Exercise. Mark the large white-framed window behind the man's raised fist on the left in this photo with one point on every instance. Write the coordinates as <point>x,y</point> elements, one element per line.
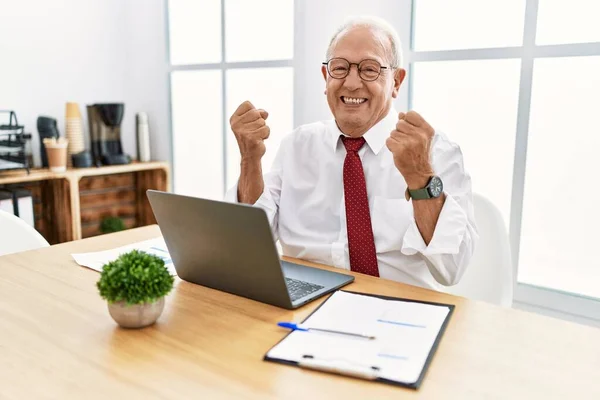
<point>223,52</point>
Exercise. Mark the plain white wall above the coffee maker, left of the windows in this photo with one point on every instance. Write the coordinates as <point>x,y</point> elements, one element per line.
<point>55,51</point>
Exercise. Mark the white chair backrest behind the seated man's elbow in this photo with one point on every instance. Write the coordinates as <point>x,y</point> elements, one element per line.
<point>489,276</point>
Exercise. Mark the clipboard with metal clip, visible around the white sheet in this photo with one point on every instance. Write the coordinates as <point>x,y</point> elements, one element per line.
<point>365,371</point>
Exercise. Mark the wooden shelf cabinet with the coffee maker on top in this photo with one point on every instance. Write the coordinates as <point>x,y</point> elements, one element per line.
<point>71,205</point>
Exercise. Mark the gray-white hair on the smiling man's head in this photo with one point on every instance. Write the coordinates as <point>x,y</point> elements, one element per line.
<point>377,25</point>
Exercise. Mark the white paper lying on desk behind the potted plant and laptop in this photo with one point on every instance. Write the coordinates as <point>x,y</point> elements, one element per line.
<point>97,259</point>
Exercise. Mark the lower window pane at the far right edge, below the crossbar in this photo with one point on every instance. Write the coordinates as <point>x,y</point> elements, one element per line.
<point>560,214</point>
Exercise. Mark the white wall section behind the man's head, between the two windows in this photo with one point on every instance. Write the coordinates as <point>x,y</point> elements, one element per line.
<point>316,22</point>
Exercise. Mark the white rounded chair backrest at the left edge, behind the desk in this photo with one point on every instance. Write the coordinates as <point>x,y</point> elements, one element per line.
<point>17,235</point>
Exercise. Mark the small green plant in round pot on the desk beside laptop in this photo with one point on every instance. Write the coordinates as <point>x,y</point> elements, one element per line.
<point>134,286</point>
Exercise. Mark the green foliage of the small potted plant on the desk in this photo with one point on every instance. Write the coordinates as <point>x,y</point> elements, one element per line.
<point>135,277</point>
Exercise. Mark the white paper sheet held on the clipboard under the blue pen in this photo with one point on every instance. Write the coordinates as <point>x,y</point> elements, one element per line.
<point>404,335</point>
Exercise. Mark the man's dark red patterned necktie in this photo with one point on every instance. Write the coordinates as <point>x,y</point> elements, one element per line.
<point>361,243</point>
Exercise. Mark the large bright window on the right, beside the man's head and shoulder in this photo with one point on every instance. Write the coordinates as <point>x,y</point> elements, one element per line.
<point>516,84</point>
